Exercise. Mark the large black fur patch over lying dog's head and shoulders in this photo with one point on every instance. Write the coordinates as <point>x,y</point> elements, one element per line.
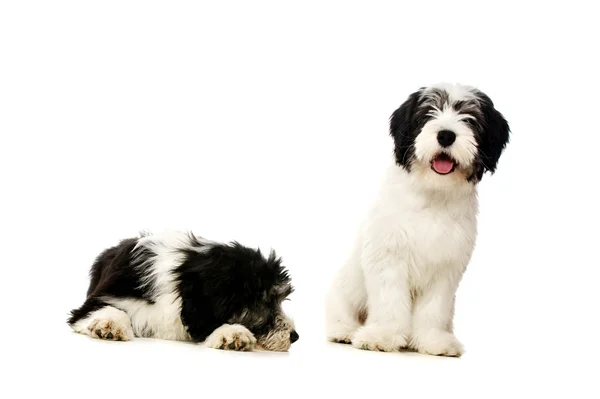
<point>219,285</point>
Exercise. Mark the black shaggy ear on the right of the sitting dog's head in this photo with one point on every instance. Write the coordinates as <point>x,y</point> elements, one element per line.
<point>494,135</point>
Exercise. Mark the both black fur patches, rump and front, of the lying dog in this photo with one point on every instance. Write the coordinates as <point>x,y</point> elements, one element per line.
<point>217,283</point>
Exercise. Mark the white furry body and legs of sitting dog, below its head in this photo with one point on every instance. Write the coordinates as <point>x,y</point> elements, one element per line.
<point>404,270</point>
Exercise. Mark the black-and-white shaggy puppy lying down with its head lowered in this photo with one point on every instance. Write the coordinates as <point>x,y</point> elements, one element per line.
<point>178,286</point>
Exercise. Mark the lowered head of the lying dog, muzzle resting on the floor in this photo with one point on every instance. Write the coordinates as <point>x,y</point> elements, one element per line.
<point>267,286</point>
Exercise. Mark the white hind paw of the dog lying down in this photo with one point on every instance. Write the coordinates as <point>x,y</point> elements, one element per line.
<point>107,323</point>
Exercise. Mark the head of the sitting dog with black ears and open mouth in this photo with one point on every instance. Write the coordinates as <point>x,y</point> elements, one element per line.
<point>448,135</point>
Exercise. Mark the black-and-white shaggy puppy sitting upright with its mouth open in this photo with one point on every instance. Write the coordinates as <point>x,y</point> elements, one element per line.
<point>397,289</point>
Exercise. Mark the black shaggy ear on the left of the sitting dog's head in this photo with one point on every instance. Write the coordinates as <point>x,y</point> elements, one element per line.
<point>402,126</point>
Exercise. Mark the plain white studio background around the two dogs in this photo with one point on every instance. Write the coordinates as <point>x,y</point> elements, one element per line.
<point>267,123</point>
